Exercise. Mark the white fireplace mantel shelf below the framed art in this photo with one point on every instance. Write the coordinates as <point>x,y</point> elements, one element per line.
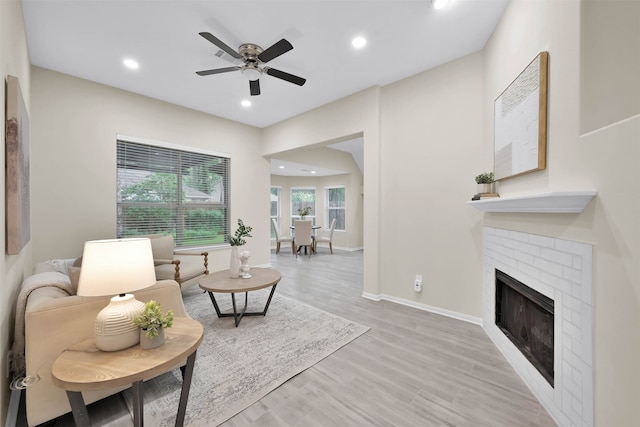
<point>551,202</point>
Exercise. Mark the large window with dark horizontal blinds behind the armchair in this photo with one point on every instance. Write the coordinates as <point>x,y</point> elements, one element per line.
<point>166,190</point>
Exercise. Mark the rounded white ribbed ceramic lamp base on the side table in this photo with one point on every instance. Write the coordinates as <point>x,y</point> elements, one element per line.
<point>114,326</point>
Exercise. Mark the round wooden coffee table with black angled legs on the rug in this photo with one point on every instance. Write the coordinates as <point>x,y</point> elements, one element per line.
<point>221,281</point>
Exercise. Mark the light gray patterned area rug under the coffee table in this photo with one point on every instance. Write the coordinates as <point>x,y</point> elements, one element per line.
<point>235,367</point>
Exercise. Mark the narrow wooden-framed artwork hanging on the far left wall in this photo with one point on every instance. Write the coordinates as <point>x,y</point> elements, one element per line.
<point>18,216</point>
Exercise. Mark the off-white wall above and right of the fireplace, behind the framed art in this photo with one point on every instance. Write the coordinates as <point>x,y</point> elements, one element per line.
<point>604,159</point>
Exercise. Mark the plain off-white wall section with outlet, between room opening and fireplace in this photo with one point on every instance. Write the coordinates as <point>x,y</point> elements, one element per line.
<point>432,149</point>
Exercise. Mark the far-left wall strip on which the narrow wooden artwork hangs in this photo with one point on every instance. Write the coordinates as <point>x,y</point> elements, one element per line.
<point>14,60</point>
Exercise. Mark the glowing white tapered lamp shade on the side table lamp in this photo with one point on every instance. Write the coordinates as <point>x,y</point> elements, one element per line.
<point>117,266</point>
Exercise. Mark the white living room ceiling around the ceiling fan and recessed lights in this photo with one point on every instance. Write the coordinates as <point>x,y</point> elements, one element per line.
<point>90,39</point>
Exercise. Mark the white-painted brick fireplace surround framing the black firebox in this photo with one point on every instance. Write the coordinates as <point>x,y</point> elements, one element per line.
<point>561,270</point>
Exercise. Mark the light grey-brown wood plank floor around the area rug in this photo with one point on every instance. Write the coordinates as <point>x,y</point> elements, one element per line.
<point>412,368</point>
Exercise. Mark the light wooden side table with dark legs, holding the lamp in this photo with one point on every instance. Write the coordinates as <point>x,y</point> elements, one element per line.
<point>85,368</point>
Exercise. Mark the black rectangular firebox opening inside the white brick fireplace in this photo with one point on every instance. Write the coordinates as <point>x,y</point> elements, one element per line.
<point>526,318</point>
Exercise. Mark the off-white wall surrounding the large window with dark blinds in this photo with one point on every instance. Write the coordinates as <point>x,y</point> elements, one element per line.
<point>74,162</point>
